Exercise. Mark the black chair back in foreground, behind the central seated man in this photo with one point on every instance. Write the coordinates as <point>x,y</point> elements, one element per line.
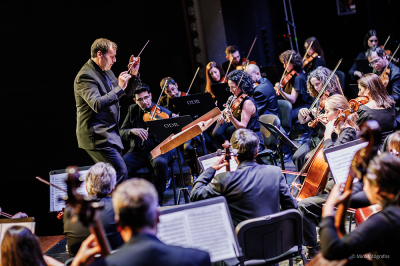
<point>272,238</point>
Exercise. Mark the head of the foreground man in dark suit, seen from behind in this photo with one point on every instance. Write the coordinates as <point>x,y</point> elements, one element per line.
<point>135,204</point>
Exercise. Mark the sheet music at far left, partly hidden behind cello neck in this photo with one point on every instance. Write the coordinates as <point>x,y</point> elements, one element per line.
<point>55,194</point>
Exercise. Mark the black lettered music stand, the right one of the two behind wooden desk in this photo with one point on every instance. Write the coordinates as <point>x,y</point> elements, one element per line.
<point>195,105</point>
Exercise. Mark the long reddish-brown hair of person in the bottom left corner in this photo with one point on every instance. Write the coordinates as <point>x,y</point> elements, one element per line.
<point>20,247</point>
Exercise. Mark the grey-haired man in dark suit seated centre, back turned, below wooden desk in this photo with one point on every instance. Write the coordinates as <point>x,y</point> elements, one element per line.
<point>247,190</point>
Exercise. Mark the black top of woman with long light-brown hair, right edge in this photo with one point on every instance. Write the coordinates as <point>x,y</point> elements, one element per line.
<point>385,118</point>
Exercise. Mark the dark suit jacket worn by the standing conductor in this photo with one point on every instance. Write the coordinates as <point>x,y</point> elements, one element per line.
<point>97,108</point>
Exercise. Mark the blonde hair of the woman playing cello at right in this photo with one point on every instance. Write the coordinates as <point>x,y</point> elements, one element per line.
<point>339,102</point>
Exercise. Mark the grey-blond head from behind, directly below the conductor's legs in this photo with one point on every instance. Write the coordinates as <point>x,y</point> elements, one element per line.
<point>101,179</point>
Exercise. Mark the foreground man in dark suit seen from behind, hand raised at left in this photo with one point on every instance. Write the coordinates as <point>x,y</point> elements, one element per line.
<point>135,205</point>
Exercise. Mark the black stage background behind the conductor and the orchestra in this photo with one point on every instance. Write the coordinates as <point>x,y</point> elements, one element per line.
<point>45,43</point>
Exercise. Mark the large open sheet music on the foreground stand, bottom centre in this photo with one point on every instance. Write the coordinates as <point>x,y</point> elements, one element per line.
<point>206,228</point>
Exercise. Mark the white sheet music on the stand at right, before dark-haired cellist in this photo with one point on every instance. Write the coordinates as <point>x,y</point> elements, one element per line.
<point>339,162</point>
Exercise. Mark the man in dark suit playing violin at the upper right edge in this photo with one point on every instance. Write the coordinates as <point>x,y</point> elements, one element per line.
<point>377,58</point>
